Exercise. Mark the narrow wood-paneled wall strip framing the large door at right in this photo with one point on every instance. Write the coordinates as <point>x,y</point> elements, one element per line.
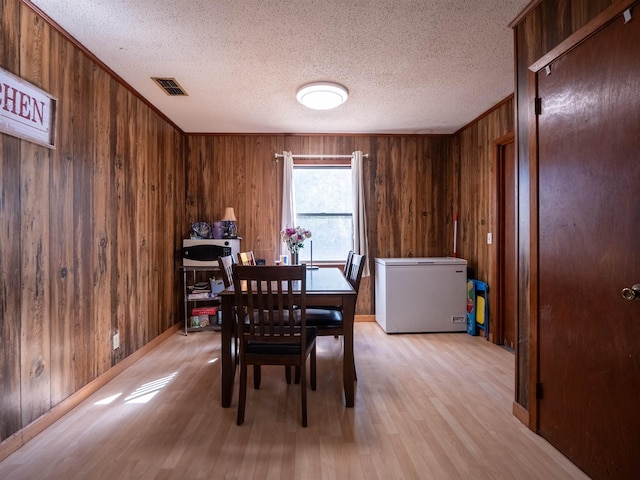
<point>539,29</point>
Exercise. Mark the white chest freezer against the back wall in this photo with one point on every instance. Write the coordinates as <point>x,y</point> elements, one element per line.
<point>420,295</point>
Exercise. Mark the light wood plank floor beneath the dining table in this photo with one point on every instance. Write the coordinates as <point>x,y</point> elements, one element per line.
<point>432,406</point>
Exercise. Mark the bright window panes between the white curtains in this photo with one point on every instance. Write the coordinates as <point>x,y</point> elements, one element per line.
<point>323,203</point>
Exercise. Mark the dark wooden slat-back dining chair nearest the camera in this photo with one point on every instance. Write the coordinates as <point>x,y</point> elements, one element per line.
<point>273,331</point>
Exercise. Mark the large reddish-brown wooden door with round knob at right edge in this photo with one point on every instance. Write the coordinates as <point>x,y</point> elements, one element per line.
<point>589,229</point>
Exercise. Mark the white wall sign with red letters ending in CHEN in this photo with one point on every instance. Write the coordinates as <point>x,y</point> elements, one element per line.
<point>26,111</point>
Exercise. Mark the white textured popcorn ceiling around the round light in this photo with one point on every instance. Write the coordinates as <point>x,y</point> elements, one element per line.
<point>421,66</point>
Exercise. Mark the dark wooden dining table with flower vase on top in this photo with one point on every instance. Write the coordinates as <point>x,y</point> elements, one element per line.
<point>325,286</point>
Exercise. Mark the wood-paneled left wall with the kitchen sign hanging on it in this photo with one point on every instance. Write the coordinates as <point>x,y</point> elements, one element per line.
<point>87,231</point>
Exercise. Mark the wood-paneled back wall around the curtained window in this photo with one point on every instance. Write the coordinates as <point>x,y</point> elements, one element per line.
<point>410,189</point>
